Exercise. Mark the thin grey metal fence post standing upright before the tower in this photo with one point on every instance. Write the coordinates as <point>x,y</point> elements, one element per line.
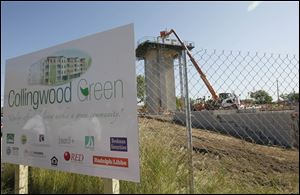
<point>188,127</point>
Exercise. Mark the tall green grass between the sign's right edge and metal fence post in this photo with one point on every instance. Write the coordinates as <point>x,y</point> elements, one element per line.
<point>163,169</point>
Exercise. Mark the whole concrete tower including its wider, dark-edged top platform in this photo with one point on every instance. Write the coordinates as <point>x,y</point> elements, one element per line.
<point>158,56</point>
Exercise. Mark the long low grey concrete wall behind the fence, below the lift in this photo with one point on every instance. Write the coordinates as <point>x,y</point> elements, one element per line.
<point>265,127</point>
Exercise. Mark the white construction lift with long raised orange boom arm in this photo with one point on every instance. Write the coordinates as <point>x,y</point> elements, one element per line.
<point>223,101</point>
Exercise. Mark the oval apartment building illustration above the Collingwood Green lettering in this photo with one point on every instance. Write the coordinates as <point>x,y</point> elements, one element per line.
<point>58,69</point>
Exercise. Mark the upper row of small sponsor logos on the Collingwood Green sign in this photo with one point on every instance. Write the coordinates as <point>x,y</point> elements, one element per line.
<point>116,143</point>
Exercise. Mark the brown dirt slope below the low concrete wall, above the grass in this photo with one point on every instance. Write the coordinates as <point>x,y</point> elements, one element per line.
<point>236,155</point>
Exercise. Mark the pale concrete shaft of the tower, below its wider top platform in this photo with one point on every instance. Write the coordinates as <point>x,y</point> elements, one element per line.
<point>160,83</point>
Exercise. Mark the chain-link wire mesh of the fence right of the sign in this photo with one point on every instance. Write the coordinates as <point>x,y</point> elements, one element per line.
<point>246,141</point>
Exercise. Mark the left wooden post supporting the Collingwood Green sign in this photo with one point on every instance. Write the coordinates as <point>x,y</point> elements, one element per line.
<point>21,179</point>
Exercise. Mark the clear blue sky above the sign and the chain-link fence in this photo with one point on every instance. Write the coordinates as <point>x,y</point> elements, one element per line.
<point>244,26</point>
